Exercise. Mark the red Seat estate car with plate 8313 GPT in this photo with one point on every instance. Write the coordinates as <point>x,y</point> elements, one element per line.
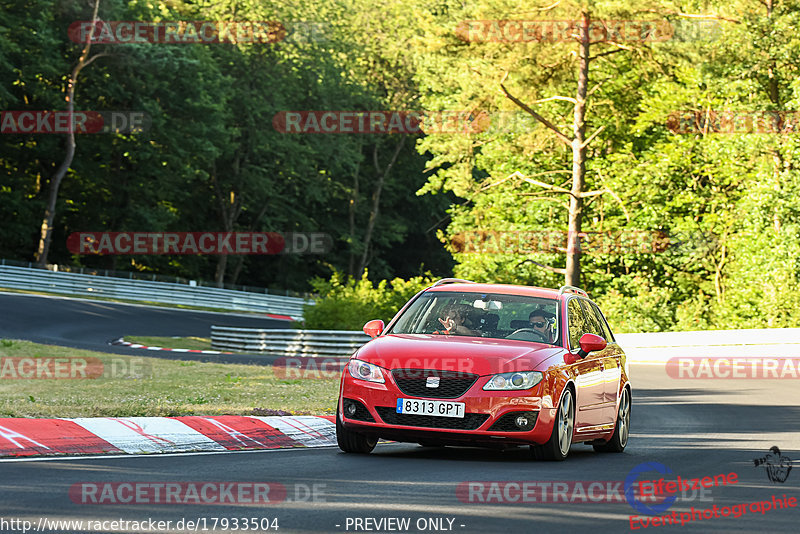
<point>488,365</point>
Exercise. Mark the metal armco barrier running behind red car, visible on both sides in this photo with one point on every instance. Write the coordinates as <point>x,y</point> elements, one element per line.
<point>640,348</point>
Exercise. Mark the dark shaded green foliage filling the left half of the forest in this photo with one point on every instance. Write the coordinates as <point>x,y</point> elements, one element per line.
<point>211,159</point>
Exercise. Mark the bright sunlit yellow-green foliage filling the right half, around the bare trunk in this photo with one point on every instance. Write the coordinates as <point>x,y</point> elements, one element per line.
<point>727,201</point>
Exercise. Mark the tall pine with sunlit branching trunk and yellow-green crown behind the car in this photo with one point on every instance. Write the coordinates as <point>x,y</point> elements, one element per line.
<point>541,70</point>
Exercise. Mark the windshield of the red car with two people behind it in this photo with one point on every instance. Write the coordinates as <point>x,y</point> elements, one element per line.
<point>493,315</point>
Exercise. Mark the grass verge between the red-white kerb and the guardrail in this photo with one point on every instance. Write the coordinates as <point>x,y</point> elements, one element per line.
<point>158,387</point>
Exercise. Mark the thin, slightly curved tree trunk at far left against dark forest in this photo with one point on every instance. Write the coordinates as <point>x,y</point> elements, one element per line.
<point>46,231</point>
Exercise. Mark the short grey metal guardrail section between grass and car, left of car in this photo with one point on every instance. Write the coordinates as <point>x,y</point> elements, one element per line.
<point>322,343</point>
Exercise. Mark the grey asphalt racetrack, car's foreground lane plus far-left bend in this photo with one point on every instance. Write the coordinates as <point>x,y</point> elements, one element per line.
<point>696,428</point>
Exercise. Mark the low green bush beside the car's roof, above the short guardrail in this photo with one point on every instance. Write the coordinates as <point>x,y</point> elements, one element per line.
<point>346,303</point>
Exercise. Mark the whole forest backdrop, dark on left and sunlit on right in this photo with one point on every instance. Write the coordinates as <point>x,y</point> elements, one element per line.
<point>642,150</point>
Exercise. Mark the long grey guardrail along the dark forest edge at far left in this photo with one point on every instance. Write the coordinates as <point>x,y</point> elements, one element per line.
<point>13,277</point>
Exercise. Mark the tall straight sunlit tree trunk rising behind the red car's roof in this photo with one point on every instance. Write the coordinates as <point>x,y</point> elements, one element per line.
<point>572,277</point>
